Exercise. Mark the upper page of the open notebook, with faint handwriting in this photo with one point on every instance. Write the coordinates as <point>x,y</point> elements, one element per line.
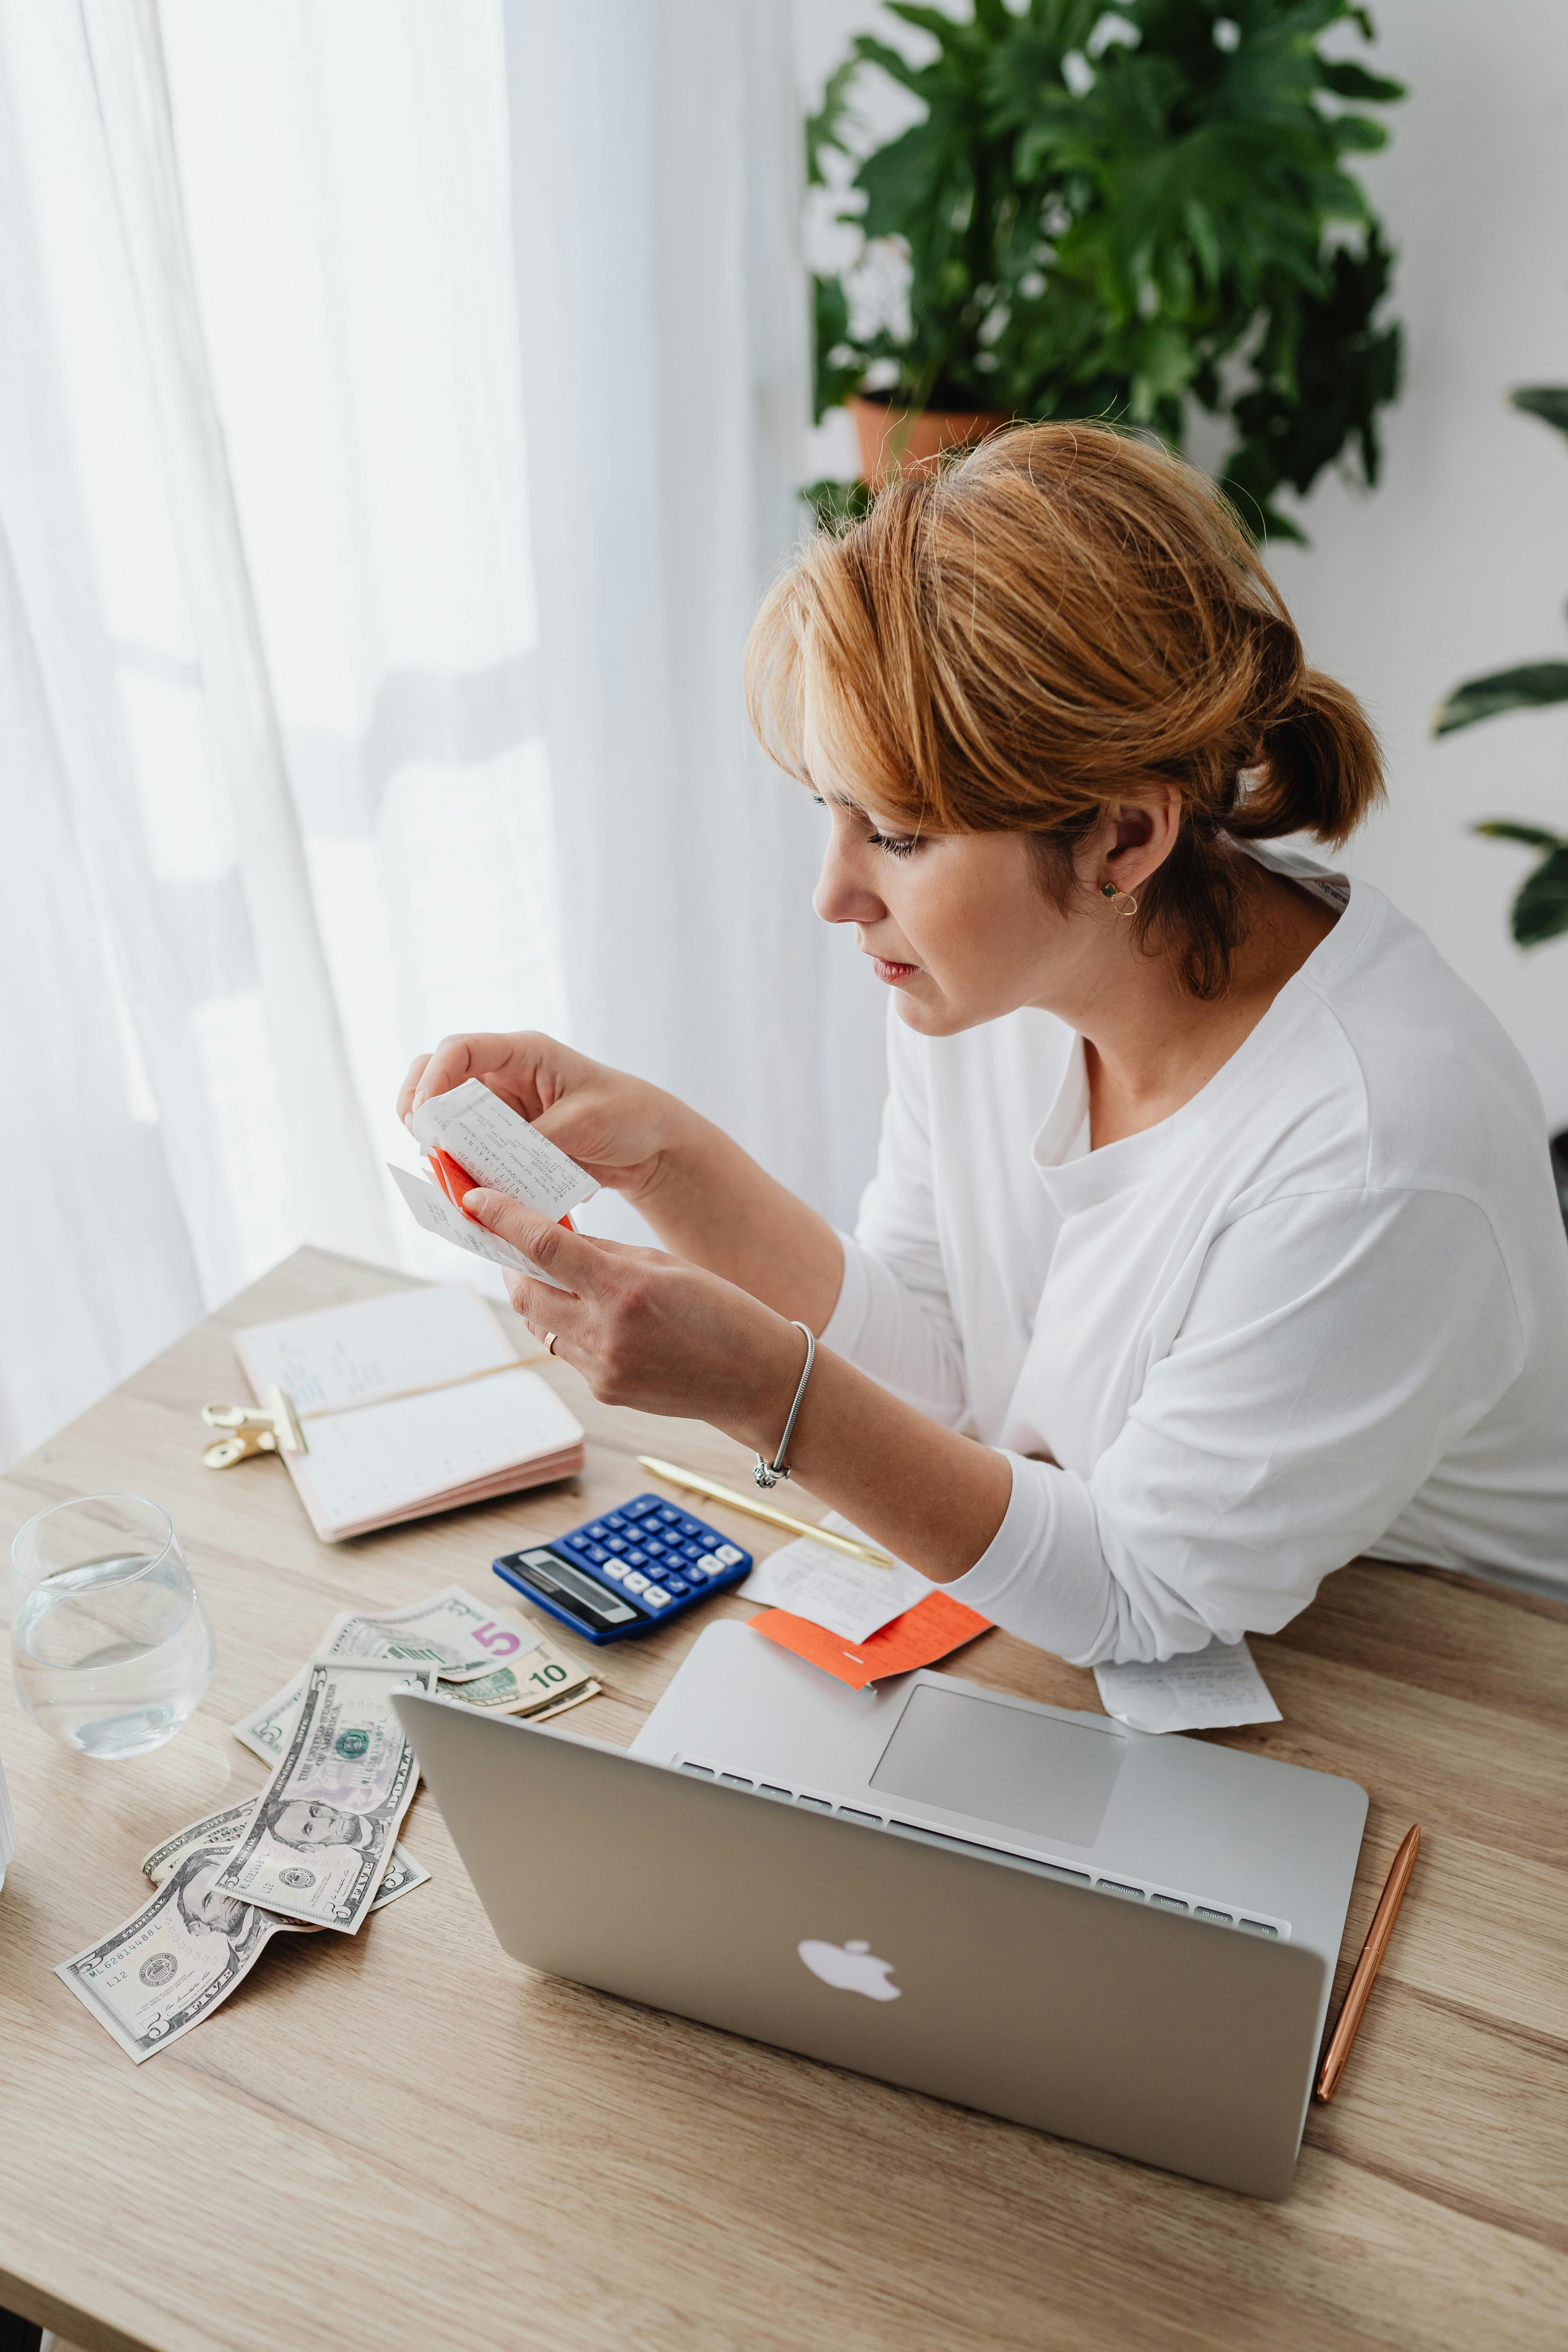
<point>377,1347</point>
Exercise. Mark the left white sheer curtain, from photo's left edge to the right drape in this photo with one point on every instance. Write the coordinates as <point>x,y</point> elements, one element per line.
<point>274,806</point>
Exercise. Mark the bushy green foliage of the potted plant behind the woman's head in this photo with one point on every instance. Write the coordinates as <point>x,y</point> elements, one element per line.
<point>1120,215</point>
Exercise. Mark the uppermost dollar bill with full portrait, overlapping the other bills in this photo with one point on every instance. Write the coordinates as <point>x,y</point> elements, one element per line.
<point>326,1826</point>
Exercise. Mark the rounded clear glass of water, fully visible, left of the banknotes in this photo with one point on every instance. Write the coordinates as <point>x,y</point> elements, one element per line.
<point>112,1648</point>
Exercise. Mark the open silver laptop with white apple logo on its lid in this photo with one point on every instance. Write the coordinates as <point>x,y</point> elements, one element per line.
<point>1111,1937</point>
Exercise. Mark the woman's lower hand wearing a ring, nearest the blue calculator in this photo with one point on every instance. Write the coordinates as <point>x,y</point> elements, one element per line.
<point>648,1330</point>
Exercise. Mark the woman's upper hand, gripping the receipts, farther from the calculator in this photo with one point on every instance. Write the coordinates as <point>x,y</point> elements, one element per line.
<point>617,1128</point>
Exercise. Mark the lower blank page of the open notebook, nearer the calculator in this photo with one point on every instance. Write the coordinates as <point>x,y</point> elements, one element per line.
<point>389,1457</point>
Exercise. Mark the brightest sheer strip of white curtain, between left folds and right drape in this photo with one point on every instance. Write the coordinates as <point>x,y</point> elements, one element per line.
<point>347,185</point>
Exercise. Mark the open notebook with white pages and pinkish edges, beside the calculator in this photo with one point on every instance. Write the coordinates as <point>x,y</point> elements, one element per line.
<point>408,1405</point>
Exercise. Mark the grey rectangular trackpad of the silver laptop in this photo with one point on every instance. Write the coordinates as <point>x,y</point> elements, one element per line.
<point>1007,1765</point>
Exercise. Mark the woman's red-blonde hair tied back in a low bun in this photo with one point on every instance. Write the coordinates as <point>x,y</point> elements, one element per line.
<point>1052,624</point>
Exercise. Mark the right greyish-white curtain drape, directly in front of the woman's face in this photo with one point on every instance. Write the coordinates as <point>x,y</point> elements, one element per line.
<point>666,387</point>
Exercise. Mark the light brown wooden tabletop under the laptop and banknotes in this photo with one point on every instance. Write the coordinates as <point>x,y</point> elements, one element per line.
<point>410,2141</point>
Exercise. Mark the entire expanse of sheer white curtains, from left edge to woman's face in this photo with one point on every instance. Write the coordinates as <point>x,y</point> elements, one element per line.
<point>316,740</point>
